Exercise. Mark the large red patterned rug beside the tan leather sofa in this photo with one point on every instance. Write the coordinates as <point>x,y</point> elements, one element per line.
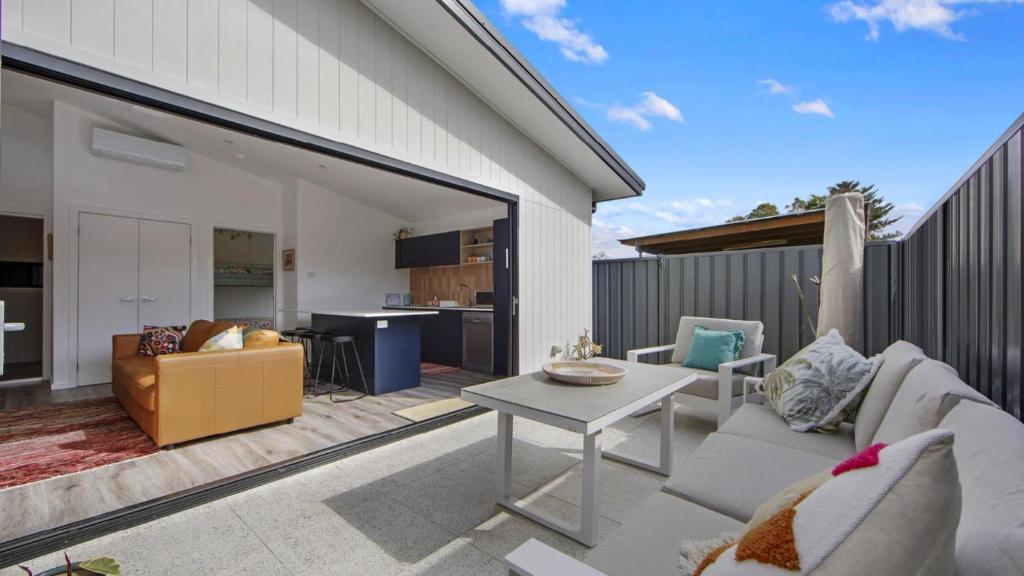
<point>54,440</point>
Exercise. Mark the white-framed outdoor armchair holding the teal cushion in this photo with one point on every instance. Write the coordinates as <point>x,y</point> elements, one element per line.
<point>724,391</point>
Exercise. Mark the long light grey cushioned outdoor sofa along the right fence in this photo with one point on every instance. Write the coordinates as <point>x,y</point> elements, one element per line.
<point>755,456</point>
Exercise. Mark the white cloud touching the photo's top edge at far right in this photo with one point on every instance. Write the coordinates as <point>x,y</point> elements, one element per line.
<point>936,17</point>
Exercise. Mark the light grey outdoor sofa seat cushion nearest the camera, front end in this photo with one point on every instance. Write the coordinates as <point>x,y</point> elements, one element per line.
<point>649,542</point>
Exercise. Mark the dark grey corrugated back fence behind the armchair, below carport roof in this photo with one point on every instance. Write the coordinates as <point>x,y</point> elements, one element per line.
<point>638,303</point>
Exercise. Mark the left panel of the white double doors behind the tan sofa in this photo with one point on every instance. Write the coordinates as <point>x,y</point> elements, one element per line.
<point>108,291</point>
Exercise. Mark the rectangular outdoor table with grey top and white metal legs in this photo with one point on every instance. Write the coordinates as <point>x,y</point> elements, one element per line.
<point>587,410</point>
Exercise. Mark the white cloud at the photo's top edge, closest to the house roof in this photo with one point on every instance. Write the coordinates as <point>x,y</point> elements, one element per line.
<point>544,19</point>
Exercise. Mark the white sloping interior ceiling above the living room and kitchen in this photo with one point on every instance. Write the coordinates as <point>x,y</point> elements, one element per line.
<point>406,198</point>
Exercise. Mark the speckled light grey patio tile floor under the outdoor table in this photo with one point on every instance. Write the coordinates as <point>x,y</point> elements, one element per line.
<point>421,507</point>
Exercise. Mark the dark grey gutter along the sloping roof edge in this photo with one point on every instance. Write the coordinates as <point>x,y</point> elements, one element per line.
<point>477,25</point>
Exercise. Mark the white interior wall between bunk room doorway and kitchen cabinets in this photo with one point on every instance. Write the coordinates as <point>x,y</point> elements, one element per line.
<point>345,253</point>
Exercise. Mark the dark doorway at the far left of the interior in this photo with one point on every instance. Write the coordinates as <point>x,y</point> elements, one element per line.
<point>22,254</point>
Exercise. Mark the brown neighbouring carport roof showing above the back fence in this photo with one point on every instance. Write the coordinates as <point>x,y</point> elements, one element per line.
<point>788,230</point>
